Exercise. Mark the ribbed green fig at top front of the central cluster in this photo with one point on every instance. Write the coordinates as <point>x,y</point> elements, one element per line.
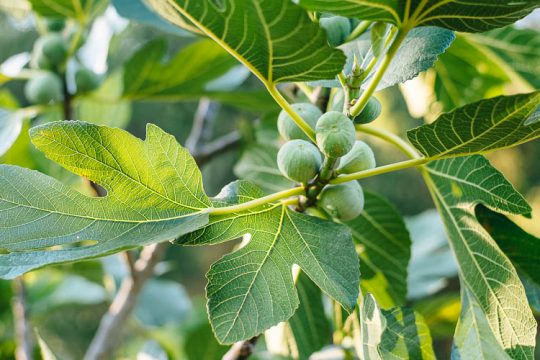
<point>335,134</point>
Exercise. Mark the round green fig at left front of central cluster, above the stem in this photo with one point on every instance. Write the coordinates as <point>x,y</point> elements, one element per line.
<point>299,160</point>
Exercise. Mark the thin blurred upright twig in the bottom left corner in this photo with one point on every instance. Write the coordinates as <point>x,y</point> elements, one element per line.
<point>23,331</point>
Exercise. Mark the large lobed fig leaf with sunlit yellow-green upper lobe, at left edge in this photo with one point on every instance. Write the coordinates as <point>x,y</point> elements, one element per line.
<point>154,194</point>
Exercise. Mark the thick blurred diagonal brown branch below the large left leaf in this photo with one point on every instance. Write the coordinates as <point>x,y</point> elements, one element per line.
<point>106,339</point>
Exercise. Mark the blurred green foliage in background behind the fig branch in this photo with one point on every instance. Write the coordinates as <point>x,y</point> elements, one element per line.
<point>66,302</point>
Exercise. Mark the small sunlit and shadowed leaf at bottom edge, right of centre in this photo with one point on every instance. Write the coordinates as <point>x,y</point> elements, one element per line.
<point>398,333</point>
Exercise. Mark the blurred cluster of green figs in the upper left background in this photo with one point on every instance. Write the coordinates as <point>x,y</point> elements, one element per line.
<point>49,59</point>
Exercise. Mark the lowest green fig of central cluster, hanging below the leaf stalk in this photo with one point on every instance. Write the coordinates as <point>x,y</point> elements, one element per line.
<point>343,201</point>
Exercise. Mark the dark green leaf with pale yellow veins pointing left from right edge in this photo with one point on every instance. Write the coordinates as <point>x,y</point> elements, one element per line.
<point>487,125</point>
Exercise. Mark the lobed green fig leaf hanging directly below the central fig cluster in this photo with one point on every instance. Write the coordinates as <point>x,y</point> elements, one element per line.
<point>252,289</point>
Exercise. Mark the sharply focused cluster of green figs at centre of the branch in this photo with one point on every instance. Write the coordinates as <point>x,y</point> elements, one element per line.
<point>301,160</point>
